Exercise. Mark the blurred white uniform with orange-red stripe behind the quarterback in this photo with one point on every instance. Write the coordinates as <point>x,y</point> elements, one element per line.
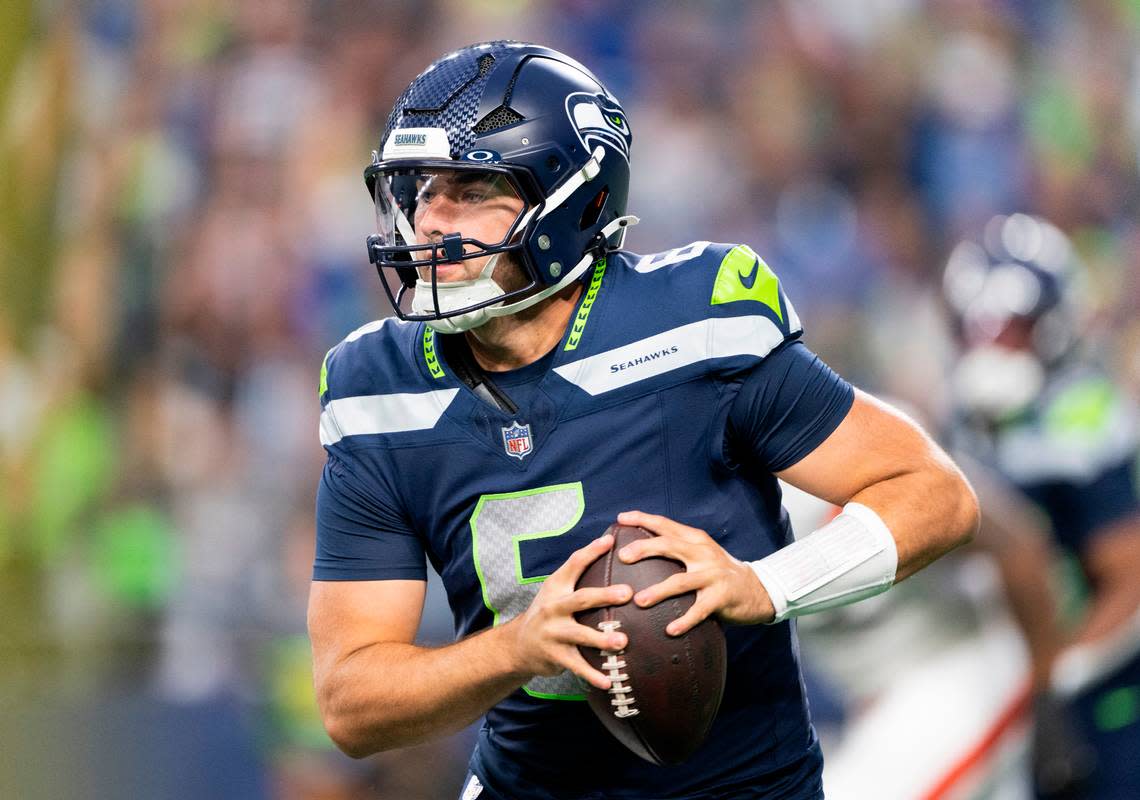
<point>935,679</point>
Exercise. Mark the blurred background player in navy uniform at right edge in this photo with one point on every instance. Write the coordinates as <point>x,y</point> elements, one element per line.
<point>1035,406</point>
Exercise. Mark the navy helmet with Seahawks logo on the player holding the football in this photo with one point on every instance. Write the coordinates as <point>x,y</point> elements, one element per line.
<point>518,126</point>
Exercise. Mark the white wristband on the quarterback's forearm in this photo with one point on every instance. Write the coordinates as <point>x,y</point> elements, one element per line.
<point>852,558</point>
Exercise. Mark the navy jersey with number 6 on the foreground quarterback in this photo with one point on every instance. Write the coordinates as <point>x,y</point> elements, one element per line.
<point>678,389</point>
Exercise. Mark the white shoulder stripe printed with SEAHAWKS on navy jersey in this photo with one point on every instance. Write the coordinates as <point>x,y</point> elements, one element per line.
<point>714,338</point>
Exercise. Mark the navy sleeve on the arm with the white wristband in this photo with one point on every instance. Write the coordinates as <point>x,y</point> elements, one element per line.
<point>787,406</point>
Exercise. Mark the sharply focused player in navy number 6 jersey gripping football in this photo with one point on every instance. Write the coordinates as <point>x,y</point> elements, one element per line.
<point>542,382</point>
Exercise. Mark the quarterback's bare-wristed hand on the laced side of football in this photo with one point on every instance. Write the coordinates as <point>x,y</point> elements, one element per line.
<point>548,636</point>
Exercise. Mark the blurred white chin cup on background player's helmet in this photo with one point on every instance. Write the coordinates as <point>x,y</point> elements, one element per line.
<point>997,381</point>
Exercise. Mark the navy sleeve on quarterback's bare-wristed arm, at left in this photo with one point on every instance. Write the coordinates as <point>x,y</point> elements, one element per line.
<point>360,537</point>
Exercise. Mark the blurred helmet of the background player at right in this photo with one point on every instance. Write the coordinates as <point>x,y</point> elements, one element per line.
<point>1016,306</point>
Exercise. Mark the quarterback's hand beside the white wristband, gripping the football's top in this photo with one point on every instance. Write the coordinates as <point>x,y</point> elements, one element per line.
<point>726,587</point>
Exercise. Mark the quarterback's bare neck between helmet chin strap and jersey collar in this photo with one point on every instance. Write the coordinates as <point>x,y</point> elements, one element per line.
<point>522,339</point>
